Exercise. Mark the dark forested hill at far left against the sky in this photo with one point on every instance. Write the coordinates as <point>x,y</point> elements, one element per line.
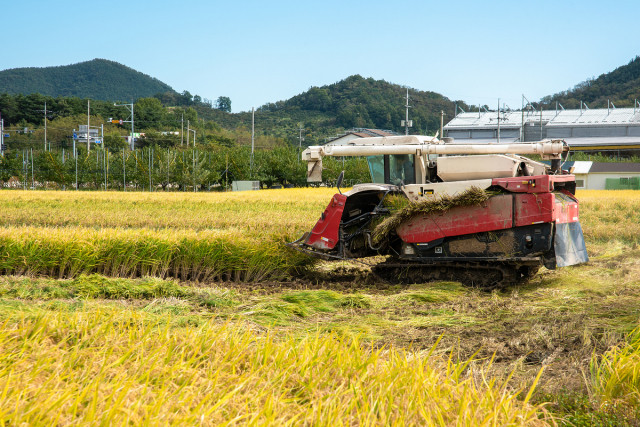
<point>97,79</point>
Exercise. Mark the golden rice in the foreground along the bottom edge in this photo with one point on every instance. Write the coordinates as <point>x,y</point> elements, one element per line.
<point>122,367</point>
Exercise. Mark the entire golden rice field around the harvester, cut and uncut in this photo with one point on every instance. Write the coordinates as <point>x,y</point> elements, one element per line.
<point>187,308</point>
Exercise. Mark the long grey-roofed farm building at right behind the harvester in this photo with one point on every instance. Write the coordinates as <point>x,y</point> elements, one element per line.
<point>606,129</point>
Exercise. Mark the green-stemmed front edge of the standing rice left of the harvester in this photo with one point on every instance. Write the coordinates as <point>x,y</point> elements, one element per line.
<point>189,255</point>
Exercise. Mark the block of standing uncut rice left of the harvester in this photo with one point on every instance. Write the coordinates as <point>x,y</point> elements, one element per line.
<point>198,237</point>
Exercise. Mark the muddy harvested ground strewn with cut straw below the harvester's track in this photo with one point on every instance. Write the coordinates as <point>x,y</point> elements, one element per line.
<point>556,321</point>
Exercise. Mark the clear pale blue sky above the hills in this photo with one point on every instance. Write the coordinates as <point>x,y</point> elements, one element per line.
<point>257,52</point>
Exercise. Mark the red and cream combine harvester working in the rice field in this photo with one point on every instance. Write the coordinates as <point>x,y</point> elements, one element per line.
<point>479,214</point>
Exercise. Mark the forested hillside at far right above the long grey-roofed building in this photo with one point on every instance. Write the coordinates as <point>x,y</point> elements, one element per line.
<point>621,86</point>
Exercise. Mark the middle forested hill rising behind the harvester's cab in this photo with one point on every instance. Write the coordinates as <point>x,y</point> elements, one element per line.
<point>355,102</point>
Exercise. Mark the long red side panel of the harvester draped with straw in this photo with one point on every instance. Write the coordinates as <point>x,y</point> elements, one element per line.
<point>495,214</point>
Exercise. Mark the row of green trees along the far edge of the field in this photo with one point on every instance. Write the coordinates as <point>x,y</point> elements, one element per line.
<point>166,169</point>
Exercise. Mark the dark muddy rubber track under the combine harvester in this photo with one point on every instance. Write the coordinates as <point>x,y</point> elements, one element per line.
<point>483,275</point>
